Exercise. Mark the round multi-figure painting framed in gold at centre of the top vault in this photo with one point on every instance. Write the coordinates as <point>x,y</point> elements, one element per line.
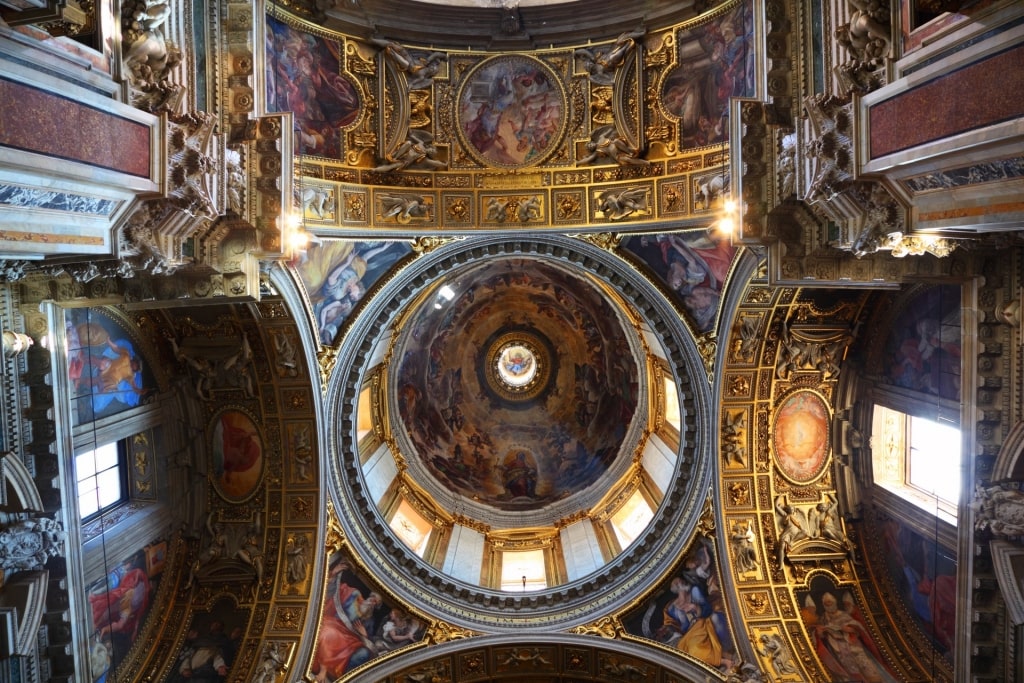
<point>511,112</point>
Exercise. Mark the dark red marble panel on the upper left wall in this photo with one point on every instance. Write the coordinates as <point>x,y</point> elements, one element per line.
<point>46,123</point>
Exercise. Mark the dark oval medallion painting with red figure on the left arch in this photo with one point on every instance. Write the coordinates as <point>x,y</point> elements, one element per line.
<point>238,455</point>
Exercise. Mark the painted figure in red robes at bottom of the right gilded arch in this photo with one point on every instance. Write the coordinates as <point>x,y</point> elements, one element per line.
<point>845,646</point>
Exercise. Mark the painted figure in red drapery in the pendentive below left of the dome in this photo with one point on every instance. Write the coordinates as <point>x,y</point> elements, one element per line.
<point>345,641</point>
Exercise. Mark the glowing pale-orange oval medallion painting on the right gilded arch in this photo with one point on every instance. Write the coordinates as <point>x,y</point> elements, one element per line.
<point>801,437</point>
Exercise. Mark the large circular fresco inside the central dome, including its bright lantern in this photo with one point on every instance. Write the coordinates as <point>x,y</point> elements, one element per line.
<point>516,385</point>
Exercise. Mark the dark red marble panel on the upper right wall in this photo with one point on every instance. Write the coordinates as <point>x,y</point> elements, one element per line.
<point>980,95</point>
